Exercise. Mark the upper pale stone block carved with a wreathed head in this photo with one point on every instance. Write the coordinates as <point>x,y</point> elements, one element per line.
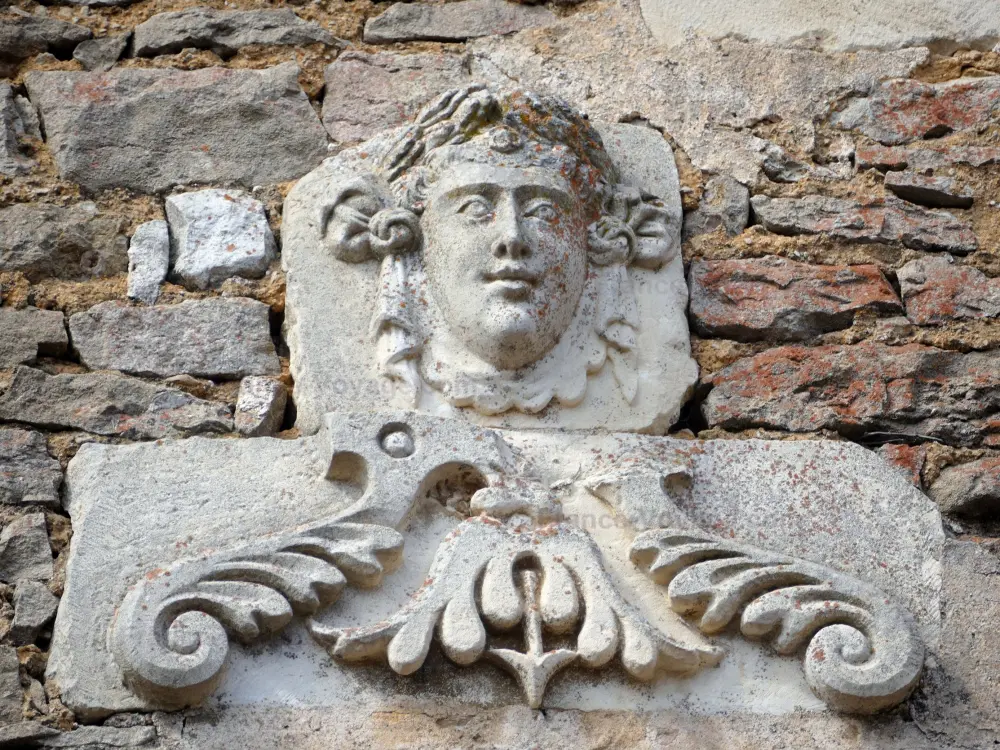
<point>494,262</point>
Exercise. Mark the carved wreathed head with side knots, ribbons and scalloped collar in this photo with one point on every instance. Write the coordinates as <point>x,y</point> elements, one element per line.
<point>504,239</point>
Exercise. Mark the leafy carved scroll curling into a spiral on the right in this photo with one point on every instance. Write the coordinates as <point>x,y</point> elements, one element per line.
<point>863,653</point>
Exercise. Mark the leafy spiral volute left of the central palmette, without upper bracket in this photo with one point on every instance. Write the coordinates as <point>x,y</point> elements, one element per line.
<point>170,634</point>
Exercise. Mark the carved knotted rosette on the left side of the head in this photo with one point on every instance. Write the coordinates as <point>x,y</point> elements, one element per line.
<point>359,222</point>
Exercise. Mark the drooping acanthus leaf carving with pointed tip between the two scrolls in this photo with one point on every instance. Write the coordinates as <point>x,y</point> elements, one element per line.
<point>489,573</point>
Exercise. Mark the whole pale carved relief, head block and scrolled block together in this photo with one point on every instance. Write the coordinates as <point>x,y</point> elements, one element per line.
<point>496,265</point>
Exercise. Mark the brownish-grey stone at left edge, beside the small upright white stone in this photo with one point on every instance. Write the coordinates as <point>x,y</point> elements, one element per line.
<point>73,243</point>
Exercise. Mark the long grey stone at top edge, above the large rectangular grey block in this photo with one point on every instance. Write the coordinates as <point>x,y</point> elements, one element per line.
<point>223,31</point>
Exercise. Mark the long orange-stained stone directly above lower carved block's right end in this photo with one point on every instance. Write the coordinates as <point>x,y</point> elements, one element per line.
<point>909,390</point>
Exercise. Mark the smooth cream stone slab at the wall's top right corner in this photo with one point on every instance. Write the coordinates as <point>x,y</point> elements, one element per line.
<point>890,24</point>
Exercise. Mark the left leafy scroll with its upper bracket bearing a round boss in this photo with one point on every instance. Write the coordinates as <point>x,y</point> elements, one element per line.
<point>171,633</point>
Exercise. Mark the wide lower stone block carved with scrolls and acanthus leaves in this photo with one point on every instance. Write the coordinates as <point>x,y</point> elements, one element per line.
<point>533,560</point>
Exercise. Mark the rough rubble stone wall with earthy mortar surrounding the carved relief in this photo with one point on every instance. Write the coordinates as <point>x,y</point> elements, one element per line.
<point>842,215</point>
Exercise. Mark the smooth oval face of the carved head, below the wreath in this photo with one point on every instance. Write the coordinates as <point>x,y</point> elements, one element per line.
<point>506,258</point>
